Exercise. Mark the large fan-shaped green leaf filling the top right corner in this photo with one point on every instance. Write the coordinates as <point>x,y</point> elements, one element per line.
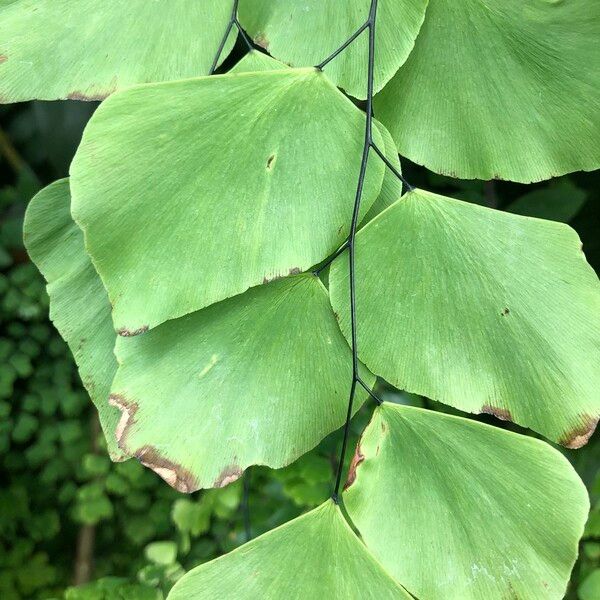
<point>490,88</point>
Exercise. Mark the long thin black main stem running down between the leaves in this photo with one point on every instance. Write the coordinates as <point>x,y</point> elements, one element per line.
<point>368,143</point>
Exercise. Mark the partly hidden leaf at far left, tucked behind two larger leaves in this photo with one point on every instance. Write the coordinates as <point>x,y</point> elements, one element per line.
<point>79,306</point>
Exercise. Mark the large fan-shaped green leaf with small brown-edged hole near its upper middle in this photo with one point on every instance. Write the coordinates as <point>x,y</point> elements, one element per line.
<point>183,207</point>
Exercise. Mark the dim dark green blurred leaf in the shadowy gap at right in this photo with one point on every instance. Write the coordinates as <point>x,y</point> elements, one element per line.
<point>560,201</point>
